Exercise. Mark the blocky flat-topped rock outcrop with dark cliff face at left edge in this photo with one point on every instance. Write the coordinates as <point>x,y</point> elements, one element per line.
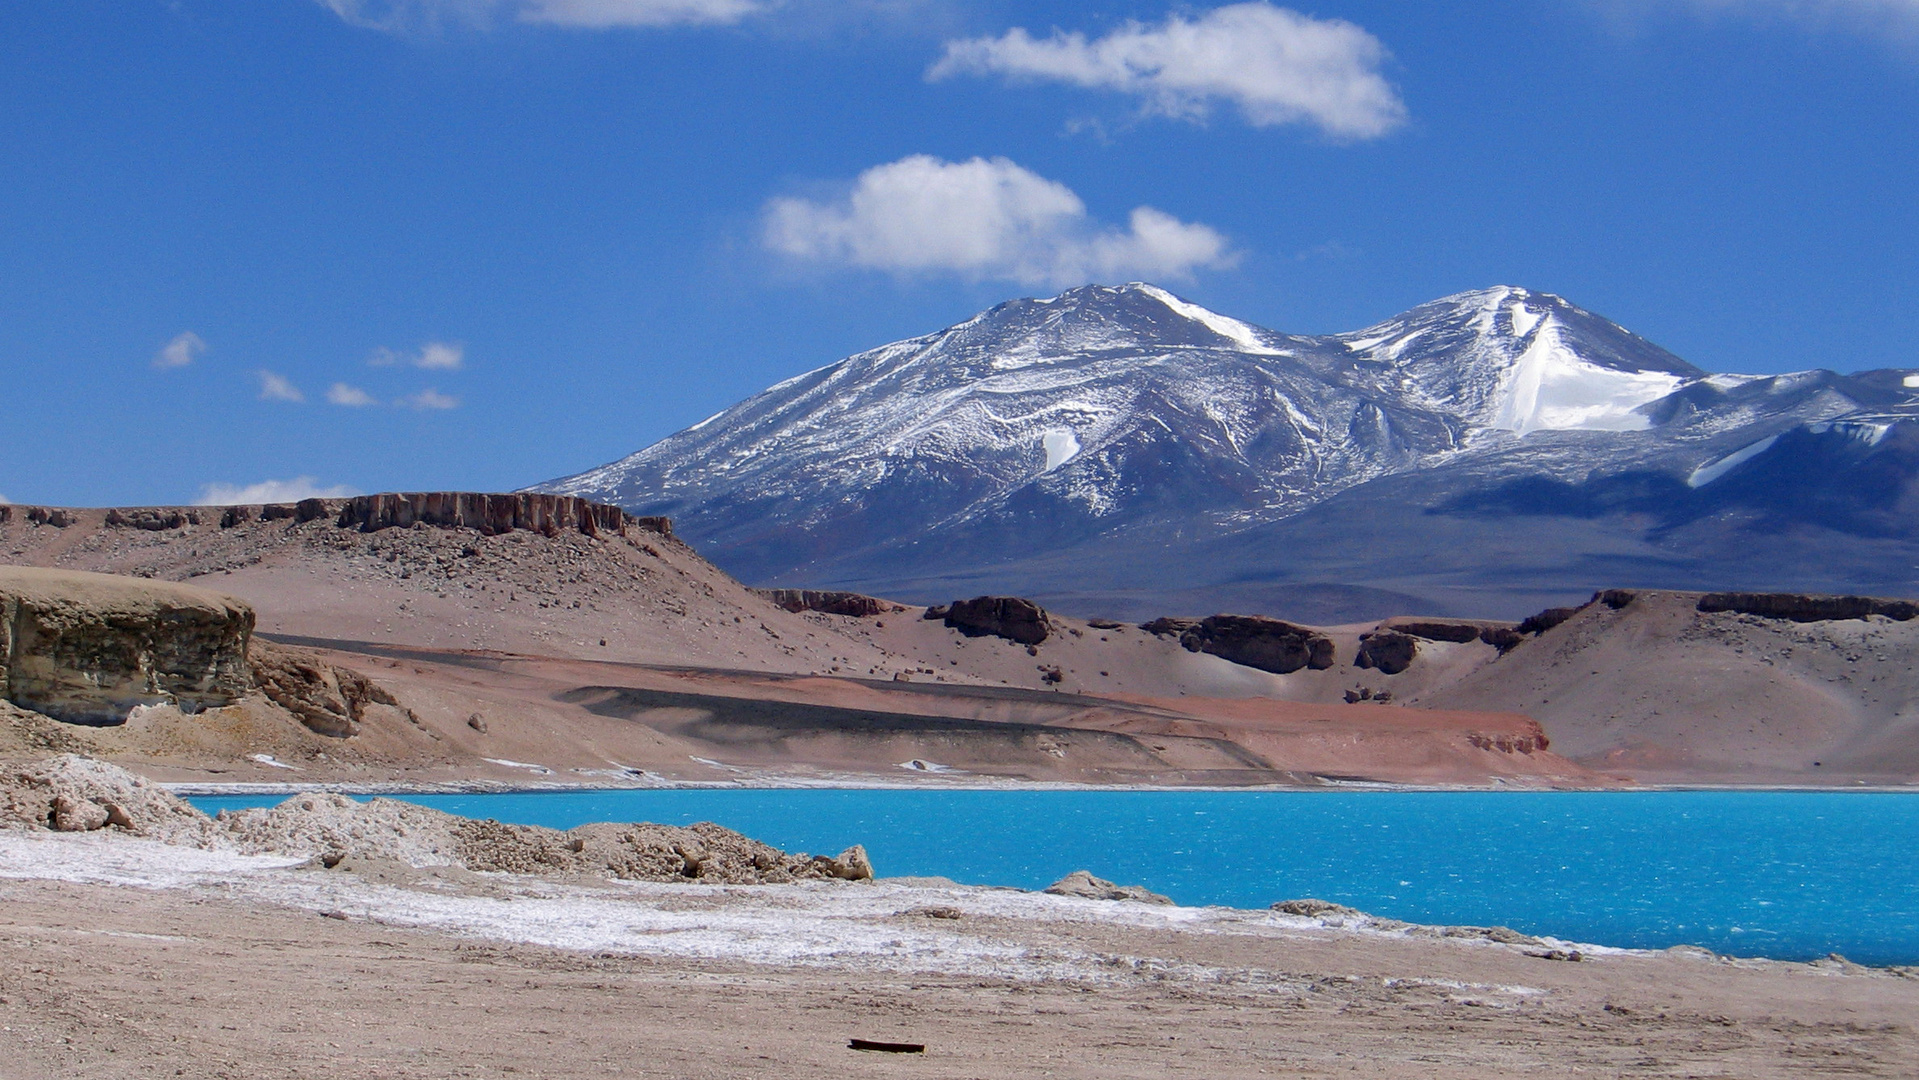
<point>91,647</point>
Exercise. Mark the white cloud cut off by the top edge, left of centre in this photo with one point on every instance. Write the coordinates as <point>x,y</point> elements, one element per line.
<point>414,16</point>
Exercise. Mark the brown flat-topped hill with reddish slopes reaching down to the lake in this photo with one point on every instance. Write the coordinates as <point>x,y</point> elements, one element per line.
<point>490,638</point>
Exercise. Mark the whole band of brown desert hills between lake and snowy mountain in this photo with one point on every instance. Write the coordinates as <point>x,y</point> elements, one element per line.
<point>619,655</point>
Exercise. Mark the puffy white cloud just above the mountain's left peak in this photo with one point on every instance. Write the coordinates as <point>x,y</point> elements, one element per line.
<point>985,220</point>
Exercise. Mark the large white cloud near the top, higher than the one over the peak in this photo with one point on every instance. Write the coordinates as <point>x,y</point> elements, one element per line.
<point>1275,64</point>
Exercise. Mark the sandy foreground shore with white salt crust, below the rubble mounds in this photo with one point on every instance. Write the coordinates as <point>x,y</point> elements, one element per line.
<point>131,958</point>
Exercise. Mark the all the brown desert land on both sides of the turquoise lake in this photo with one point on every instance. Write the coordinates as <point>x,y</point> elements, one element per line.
<point>298,649</point>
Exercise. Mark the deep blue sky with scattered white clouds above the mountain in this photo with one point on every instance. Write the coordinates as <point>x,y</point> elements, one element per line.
<point>477,245</point>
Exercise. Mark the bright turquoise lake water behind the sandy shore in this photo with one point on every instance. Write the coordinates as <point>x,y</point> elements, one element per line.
<point>1789,876</point>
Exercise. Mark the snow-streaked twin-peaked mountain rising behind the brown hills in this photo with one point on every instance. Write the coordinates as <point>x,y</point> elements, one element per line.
<point>1053,444</point>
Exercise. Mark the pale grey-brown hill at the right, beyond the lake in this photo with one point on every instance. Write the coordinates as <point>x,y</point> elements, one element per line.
<point>1718,688</point>
